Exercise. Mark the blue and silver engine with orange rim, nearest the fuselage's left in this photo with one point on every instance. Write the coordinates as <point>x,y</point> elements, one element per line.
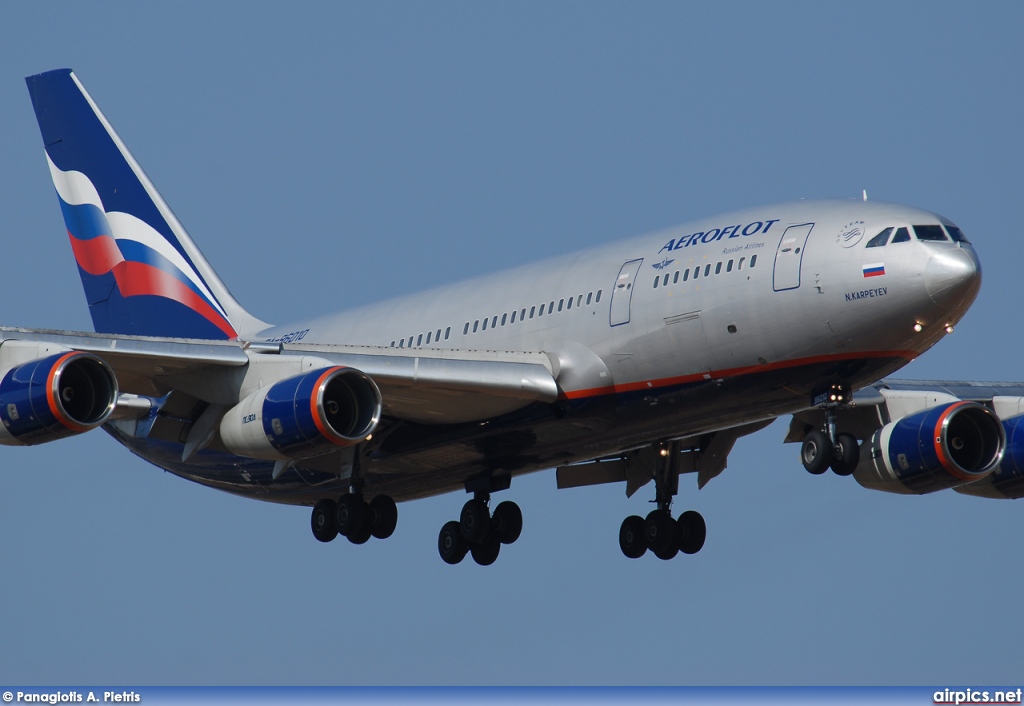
<point>305,417</point>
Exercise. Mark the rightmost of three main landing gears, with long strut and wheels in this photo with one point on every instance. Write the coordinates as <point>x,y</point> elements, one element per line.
<point>660,533</point>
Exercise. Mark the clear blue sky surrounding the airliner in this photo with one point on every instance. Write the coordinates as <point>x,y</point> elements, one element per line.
<point>325,155</point>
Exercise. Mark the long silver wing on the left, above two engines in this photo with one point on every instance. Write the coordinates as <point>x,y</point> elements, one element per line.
<point>423,386</point>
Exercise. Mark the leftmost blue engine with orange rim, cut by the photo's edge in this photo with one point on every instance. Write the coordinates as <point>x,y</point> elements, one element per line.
<point>56,397</point>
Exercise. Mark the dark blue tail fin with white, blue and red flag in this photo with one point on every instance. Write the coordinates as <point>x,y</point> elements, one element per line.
<point>142,273</point>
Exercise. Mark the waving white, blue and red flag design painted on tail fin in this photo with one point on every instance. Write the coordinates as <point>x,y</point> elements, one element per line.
<point>121,246</point>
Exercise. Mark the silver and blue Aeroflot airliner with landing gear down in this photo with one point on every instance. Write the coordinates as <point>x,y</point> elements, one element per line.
<point>635,362</point>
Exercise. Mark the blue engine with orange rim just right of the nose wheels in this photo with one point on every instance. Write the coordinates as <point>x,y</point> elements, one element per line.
<point>940,448</point>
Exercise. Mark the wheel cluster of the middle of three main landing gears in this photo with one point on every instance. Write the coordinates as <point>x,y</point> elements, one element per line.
<point>479,532</point>
